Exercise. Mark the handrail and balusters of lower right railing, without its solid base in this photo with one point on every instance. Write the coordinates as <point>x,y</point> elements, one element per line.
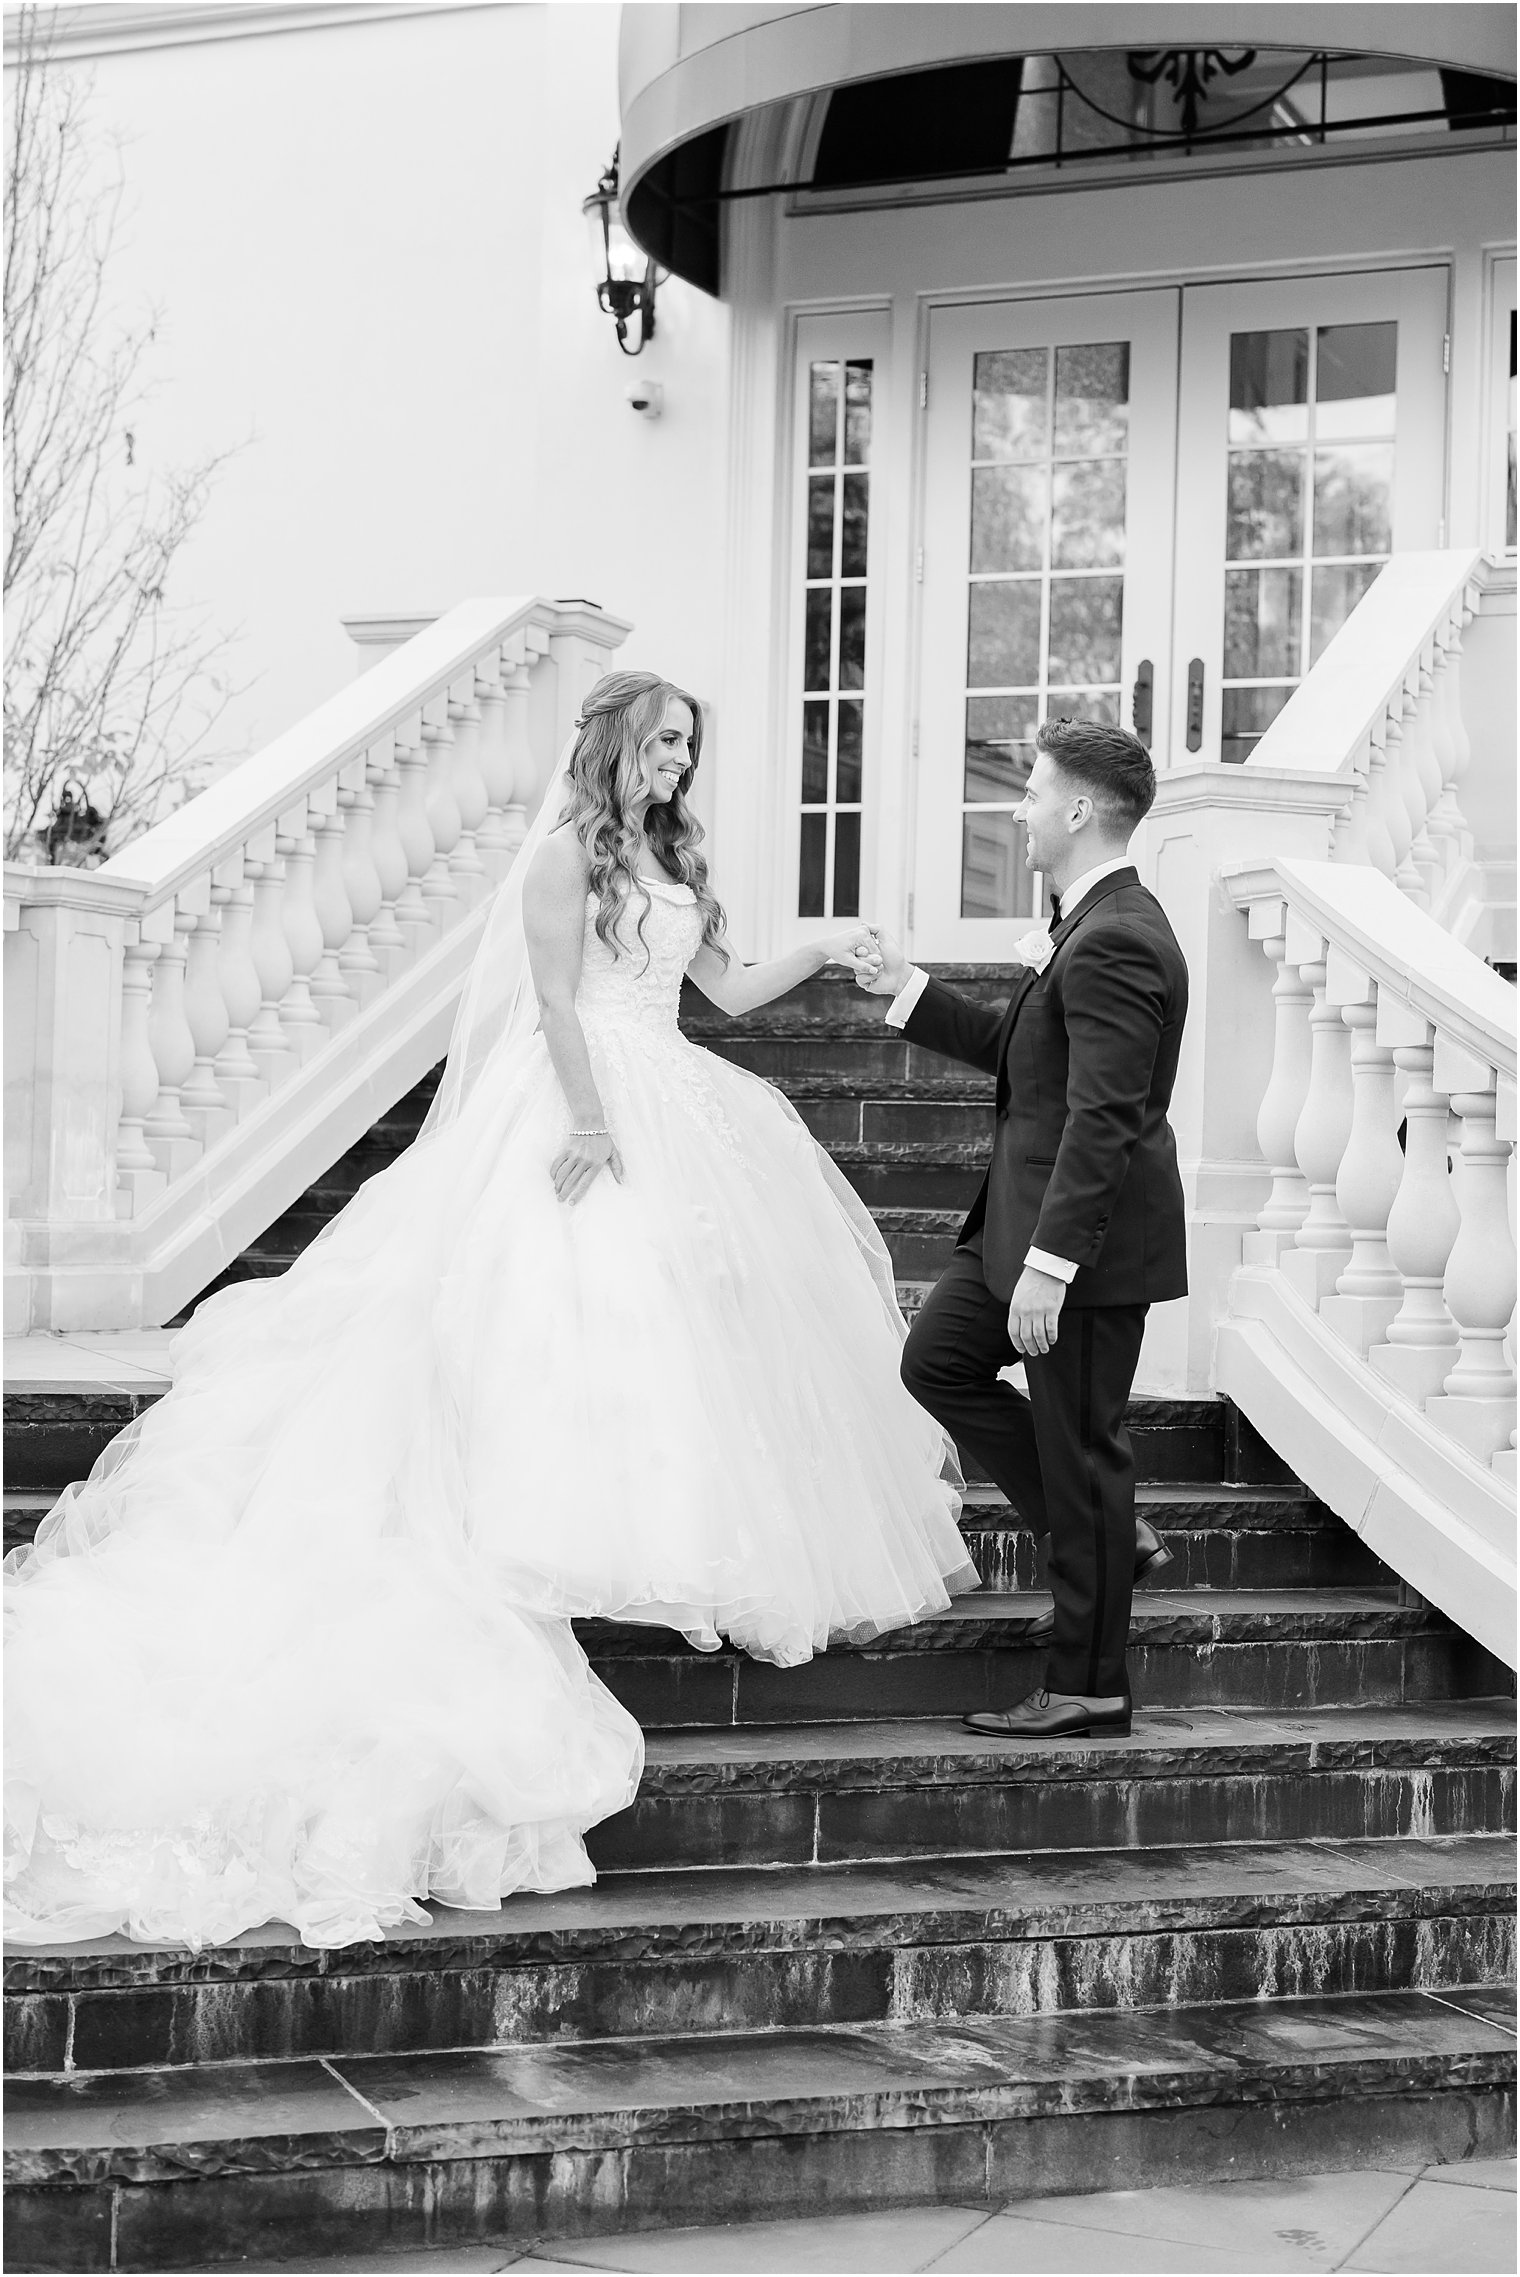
<point>1405,1253</point>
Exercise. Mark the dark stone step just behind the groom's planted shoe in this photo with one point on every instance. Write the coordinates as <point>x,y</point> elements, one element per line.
<point>1187,1650</point>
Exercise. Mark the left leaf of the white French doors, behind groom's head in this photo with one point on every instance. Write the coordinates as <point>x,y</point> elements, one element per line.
<point>1046,575</point>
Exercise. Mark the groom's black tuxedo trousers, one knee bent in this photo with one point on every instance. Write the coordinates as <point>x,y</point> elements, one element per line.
<point>1061,1456</point>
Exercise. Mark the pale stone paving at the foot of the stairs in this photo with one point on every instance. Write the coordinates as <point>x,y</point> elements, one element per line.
<point>1435,2219</point>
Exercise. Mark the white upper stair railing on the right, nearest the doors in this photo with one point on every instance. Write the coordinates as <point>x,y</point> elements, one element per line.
<point>1382,709</point>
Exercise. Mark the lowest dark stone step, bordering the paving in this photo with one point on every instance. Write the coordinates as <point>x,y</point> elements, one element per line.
<point>170,2171</point>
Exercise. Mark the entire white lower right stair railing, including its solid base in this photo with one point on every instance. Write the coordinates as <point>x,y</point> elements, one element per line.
<point>1371,1324</point>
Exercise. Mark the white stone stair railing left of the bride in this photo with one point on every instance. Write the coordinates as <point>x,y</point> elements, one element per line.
<point>215,1014</point>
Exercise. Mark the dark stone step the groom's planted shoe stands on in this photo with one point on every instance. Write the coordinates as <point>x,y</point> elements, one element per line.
<point>920,1789</point>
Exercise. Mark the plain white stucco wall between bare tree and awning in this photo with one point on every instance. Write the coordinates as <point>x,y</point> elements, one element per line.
<point>374,277</point>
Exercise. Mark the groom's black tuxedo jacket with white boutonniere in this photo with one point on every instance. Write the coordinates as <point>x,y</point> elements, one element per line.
<point>1084,1160</point>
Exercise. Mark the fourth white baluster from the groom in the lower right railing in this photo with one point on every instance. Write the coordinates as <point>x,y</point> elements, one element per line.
<point>1423,1222</point>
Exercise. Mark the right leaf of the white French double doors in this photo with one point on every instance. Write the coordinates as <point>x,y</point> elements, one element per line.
<point>1316,447</point>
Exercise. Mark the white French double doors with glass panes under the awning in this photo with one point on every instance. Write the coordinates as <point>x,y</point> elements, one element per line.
<point>1150,509</point>
